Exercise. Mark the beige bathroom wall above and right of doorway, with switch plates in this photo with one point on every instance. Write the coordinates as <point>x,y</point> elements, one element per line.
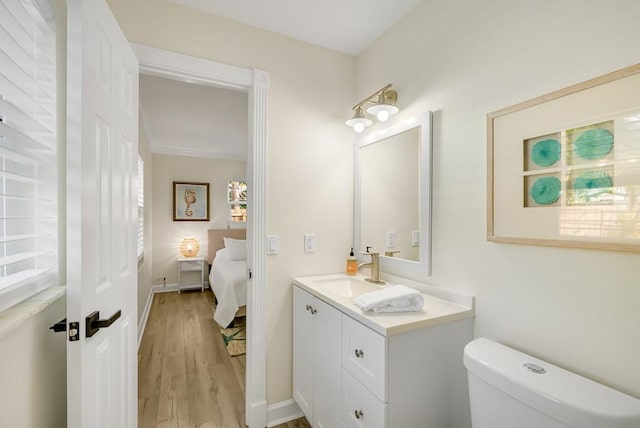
<point>309,158</point>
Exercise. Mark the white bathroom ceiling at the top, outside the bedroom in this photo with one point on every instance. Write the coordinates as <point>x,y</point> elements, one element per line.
<point>347,26</point>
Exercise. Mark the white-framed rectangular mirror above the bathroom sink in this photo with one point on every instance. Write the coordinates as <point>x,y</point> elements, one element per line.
<point>393,196</point>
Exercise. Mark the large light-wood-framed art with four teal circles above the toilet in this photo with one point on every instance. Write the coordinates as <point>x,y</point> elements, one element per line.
<point>564,168</point>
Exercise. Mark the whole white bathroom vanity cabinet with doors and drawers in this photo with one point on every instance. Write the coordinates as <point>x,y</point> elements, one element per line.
<point>402,374</point>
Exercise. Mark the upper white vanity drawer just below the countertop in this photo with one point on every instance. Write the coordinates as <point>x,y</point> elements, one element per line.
<point>364,356</point>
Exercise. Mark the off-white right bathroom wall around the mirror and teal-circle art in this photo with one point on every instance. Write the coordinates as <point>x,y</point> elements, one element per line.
<point>463,59</point>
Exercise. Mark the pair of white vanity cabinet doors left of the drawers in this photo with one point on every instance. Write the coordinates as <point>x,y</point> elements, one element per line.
<point>316,359</point>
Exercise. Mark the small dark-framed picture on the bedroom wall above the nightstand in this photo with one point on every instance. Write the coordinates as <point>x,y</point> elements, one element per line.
<point>190,201</point>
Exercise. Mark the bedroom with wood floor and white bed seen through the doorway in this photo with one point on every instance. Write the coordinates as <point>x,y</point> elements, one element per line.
<point>192,356</point>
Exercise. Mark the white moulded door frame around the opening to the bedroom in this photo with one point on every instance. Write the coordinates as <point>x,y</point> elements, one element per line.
<point>255,83</point>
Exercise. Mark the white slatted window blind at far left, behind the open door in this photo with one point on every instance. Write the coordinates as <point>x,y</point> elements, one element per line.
<point>28,155</point>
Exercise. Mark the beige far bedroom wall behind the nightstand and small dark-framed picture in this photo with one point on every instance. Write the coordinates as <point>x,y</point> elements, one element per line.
<point>167,234</point>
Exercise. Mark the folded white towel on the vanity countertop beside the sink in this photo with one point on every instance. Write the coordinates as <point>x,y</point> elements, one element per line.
<point>397,298</point>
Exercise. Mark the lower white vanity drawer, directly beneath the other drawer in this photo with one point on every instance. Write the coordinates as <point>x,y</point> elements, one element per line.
<point>360,408</point>
